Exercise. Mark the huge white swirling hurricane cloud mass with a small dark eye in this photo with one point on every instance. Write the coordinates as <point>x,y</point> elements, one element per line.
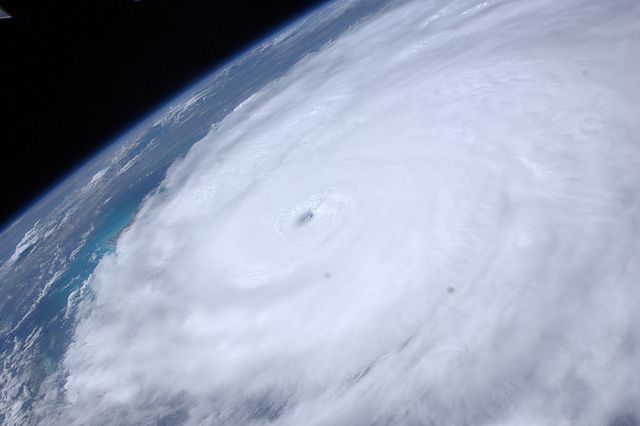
<point>433,220</point>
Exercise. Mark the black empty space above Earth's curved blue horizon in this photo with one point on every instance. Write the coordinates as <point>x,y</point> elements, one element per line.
<point>76,74</point>
